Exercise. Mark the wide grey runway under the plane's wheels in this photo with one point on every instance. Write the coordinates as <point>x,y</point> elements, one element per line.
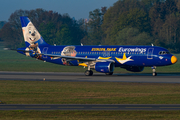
<point>97,77</point>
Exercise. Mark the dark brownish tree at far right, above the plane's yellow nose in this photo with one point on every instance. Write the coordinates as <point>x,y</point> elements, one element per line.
<point>165,25</point>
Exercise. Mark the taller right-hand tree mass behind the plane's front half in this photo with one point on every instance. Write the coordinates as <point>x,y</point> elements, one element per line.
<point>137,22</point>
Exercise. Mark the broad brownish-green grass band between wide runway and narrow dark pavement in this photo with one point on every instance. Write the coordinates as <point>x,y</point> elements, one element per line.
<point>45,92</point>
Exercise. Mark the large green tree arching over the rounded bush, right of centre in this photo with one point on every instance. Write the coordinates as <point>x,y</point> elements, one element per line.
<point>125,13</point>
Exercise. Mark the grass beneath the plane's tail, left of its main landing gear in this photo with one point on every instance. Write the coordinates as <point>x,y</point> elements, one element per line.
<point>13,61</point>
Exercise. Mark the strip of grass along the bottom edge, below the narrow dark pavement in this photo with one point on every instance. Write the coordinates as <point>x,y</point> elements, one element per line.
<point>89,115</point>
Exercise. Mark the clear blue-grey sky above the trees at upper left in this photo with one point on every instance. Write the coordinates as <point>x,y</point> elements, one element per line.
<point>75,8</point>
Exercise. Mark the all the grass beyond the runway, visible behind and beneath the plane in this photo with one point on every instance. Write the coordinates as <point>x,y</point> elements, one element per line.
<point>13,61</point>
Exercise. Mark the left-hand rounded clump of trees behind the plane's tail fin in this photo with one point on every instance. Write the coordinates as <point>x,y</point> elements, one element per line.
<point>54,28</point>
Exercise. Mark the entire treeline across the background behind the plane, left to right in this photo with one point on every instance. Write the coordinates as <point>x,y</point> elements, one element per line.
<point>127,22</point>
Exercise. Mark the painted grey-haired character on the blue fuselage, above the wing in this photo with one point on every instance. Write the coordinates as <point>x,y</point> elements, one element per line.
<point>68,51</point>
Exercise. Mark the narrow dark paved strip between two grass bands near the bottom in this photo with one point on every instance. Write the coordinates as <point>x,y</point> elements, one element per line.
<point>91,107</point>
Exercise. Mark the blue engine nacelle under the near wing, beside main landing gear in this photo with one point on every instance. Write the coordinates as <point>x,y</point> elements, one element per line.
<point>104,67</point>
